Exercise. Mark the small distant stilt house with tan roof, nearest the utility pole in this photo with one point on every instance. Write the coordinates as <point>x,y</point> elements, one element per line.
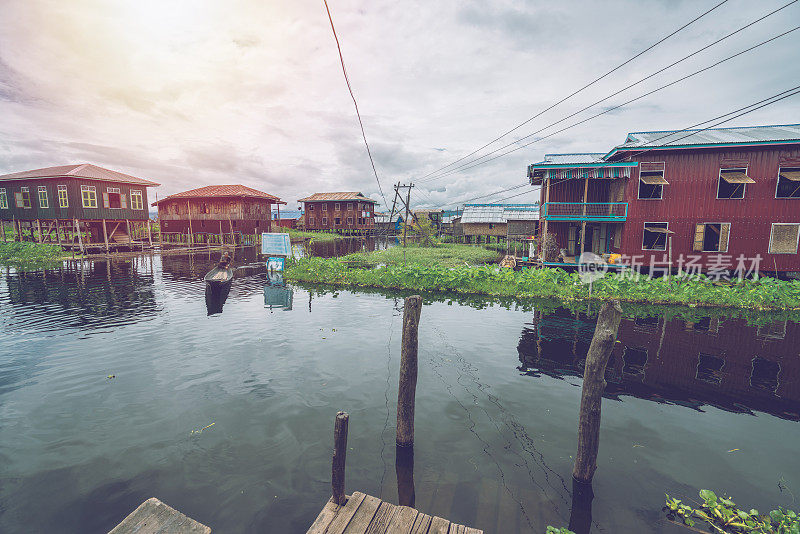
<point>340,212</point>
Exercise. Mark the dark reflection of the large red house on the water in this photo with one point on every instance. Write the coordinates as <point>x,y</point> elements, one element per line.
<point>724,363</point>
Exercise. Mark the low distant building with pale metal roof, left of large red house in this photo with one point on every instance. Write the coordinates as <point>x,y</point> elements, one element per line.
<point>489,220</point>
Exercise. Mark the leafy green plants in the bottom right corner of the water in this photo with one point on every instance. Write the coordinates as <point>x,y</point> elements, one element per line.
<point>723,516</point>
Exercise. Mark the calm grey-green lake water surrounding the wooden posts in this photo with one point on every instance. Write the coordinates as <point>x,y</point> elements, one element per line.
<point>711,403</point>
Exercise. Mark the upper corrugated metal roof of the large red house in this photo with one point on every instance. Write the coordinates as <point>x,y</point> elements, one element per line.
<point>714,136</point>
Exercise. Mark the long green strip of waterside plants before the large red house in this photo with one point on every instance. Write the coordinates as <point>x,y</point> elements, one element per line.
<point>423,271</point>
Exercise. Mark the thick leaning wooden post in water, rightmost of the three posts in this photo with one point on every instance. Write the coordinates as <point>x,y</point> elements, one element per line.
<point>594,383</point>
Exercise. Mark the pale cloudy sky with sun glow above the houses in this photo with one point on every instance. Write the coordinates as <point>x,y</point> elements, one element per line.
<point>190,93</point>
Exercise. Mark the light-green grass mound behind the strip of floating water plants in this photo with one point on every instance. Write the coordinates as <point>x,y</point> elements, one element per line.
<point>447,255</point>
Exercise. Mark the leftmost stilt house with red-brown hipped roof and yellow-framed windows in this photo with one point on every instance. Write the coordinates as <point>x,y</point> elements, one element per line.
<point>105,205</point>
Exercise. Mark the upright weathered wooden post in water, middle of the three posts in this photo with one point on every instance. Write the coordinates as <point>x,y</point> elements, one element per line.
<point>408,371</point>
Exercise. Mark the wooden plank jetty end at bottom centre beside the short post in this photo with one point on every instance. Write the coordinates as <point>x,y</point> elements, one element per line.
<point>364,514</point>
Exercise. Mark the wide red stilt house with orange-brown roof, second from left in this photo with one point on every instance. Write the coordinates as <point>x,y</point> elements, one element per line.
<point>217,209</point>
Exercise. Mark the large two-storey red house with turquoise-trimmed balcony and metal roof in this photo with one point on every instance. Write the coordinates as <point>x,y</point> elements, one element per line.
<point>678,194</point>
